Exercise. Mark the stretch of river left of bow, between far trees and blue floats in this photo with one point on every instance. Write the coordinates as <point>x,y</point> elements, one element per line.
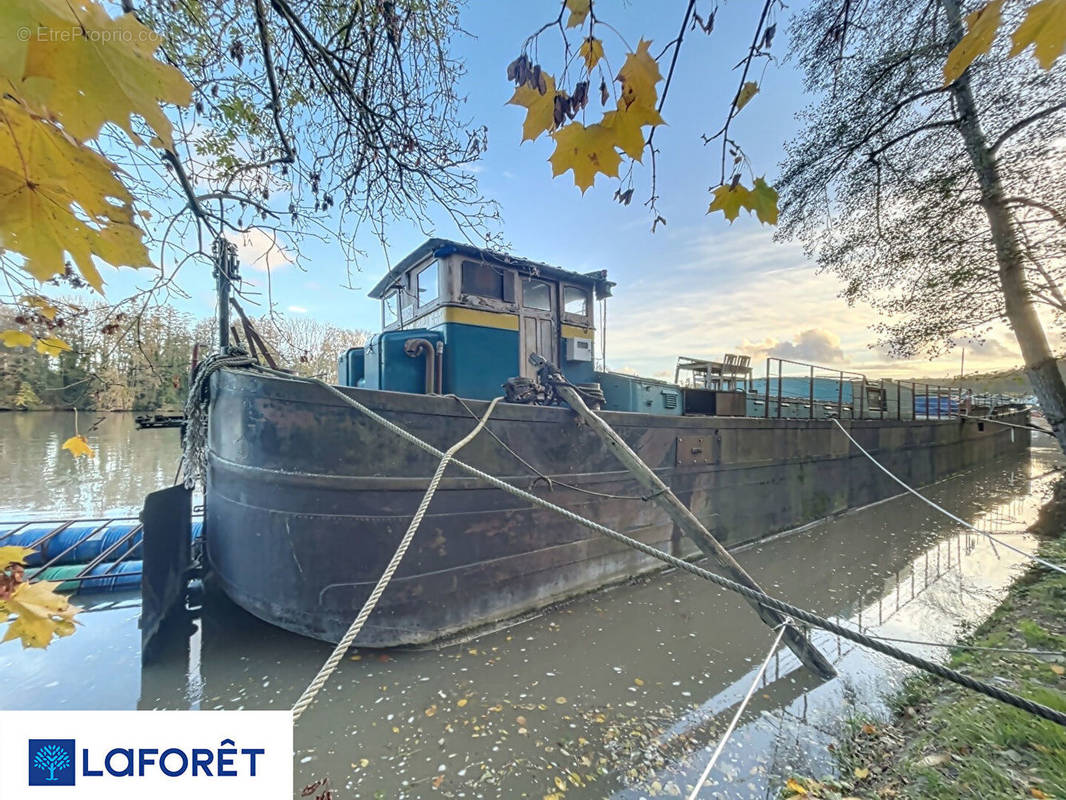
<point>42,482</point>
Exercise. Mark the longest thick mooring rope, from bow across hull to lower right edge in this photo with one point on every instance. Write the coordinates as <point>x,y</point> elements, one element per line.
<point>766,600</point>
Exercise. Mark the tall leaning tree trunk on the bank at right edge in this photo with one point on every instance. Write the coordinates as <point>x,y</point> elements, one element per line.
<point>1041,364</point>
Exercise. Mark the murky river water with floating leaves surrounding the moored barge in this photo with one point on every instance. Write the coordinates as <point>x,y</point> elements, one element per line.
<point>620,694</point>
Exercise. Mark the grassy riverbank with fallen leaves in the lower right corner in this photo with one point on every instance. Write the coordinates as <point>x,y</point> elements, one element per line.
<point>945,742</point>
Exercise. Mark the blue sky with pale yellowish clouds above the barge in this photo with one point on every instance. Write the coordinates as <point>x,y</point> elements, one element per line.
<point>700,286</point>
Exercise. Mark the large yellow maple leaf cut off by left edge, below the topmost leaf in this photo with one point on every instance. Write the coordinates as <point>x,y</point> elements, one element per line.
<point>49,185</point>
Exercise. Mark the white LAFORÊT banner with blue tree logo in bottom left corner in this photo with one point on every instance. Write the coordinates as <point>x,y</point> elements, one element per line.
<point>199,756</point>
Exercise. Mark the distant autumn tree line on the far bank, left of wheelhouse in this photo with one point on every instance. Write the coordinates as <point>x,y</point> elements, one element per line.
<point>142,363</point>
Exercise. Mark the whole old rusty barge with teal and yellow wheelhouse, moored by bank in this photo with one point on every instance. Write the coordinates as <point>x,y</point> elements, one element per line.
<point>306,498</point>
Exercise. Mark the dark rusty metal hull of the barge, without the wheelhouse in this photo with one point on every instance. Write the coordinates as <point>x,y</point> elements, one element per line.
<point>308,499</point>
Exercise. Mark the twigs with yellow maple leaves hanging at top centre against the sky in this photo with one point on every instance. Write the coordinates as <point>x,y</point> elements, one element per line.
<point>623,129</point>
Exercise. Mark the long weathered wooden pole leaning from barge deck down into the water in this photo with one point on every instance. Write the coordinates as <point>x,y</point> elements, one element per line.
<point>685,520</point>
